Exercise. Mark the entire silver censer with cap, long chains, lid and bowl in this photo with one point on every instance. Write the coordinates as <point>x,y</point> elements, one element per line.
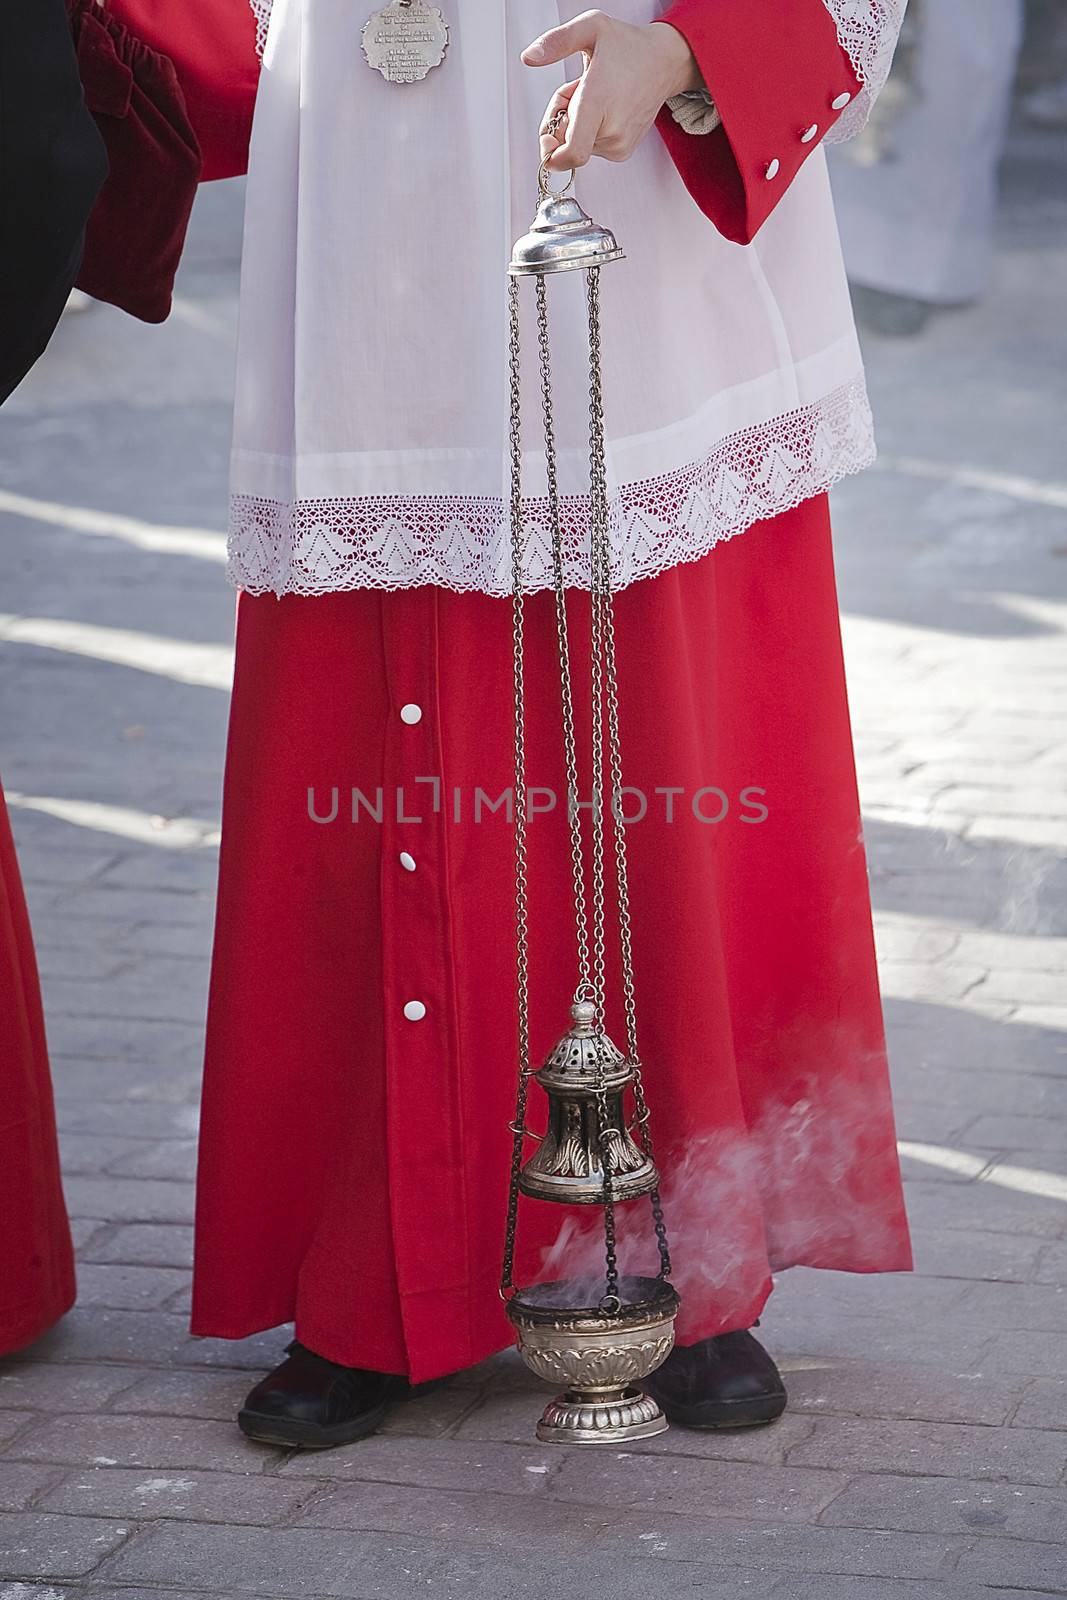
<point>599,1346</point>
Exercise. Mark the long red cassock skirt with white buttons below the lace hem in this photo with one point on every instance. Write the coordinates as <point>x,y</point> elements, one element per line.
<point>354,1161</point>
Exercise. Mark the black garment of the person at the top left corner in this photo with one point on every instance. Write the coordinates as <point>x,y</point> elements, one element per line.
<point>52,167</point>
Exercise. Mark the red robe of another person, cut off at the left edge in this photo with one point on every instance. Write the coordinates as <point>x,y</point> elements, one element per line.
<point>36,1257</point>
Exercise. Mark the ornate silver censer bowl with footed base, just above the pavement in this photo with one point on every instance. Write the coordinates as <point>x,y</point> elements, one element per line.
<point>597,1356</point>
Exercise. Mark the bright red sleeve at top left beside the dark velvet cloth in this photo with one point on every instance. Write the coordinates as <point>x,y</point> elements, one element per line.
<point>214,49</point>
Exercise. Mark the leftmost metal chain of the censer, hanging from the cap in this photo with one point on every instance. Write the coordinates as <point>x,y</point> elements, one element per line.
<point>522,905</point>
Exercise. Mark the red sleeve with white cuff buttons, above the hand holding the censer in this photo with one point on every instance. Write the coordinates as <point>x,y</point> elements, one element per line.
<point>780,79</point>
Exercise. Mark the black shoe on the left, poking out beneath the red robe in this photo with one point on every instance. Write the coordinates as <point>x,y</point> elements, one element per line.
<point>313,1404</point>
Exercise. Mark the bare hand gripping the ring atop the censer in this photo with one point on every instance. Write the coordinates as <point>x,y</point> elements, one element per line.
<point>629,74</point>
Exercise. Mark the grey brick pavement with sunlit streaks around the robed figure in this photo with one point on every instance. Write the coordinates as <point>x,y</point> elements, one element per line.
<point>925,1447</point>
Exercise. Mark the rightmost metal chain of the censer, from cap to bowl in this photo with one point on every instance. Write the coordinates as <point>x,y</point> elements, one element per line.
<point>604,604</point>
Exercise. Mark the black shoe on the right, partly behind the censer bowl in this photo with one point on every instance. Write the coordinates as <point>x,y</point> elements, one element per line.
<point>729,1382</point>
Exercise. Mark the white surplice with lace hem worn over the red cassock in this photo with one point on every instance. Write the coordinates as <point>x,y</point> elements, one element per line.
<point>372,394</point>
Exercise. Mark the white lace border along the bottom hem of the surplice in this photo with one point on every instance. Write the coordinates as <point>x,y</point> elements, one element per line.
<point>324,546</point>
